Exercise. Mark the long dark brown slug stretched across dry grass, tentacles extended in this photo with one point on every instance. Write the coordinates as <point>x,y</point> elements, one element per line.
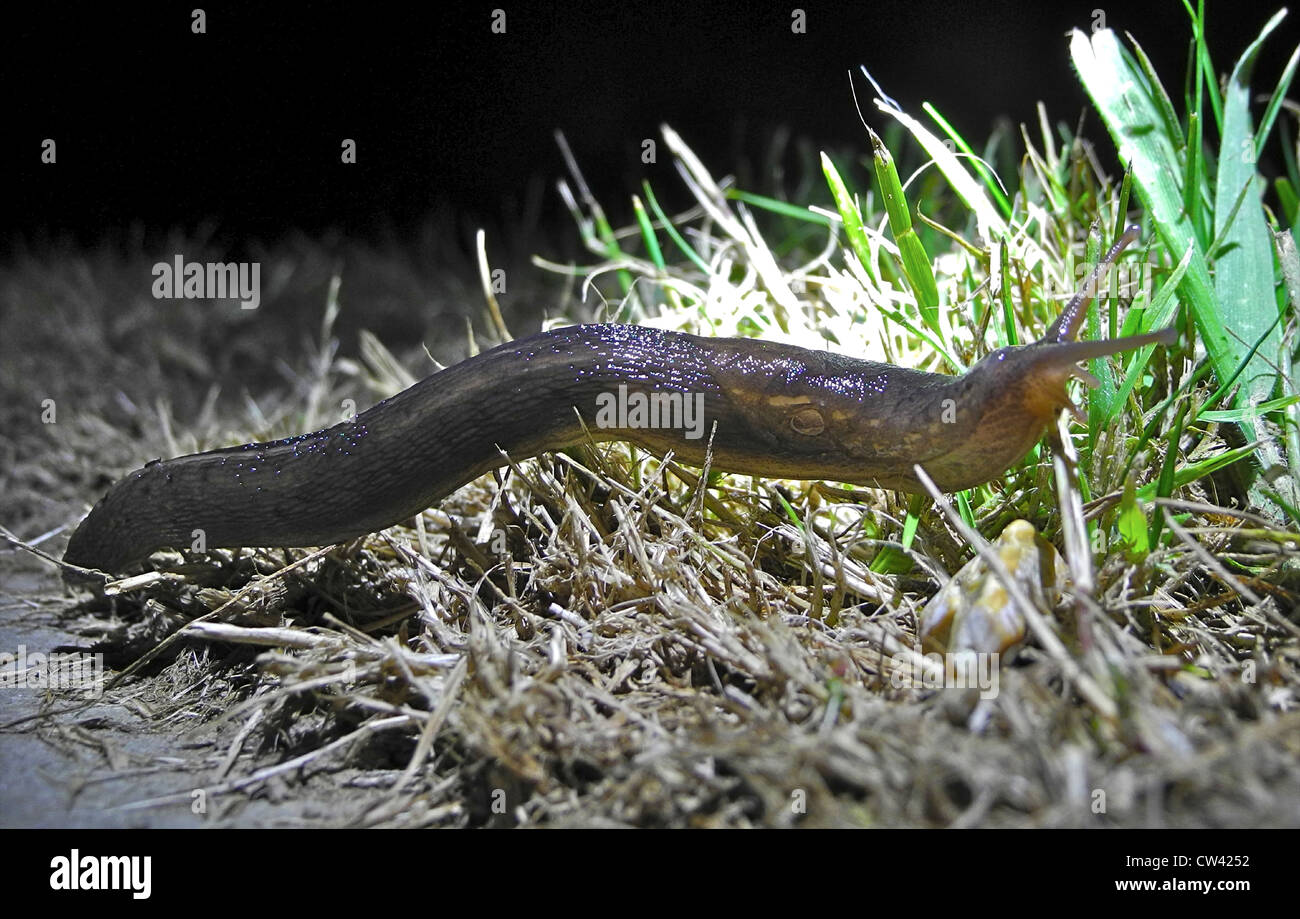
<point>764,409</point>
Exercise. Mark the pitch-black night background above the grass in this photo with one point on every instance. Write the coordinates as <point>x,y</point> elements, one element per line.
<point>241,128</point>
